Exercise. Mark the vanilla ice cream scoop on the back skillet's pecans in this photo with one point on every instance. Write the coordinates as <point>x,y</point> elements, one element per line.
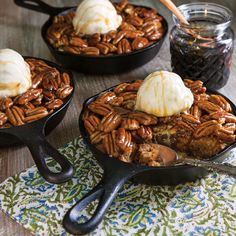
<point>93,16</point>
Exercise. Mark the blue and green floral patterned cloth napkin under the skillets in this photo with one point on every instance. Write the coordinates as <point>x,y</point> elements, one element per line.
<point>204,207</point>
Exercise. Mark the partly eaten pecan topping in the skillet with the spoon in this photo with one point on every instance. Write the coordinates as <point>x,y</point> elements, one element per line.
<point>116,129</point>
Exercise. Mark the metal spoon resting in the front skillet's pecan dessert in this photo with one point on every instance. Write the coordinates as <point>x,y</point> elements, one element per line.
<point>169,157</point>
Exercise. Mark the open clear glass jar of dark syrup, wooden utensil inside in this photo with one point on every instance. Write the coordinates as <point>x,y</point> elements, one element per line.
<point>203,49</point>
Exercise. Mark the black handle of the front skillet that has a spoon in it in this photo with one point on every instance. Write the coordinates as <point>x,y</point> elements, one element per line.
<point>105,192</point>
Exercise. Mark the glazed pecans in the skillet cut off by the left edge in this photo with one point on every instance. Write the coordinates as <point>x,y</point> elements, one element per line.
<point>47,93</point>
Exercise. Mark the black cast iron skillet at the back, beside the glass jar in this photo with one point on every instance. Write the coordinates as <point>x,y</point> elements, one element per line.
<point>92,64</point>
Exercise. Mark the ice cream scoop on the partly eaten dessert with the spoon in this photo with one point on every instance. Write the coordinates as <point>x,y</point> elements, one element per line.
<point>162,94</point>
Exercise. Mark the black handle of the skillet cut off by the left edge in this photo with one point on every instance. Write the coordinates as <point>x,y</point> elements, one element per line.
<point>34,139</point>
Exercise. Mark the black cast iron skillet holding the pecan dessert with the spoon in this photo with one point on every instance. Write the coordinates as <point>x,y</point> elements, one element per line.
<point>116,173</point>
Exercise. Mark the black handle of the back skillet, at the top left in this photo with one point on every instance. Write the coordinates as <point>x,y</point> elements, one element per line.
<point>40,6</point>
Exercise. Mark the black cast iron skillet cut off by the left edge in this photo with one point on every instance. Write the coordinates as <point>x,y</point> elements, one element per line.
<point>33,136</point>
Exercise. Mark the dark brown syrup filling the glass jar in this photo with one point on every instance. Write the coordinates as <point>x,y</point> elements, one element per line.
<point>207,58</point>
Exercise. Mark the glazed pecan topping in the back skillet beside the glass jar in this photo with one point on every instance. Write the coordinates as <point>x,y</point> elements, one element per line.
<point>140,28</point>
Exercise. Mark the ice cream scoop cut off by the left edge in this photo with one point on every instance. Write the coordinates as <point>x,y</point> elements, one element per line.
<point>15,77</point>
